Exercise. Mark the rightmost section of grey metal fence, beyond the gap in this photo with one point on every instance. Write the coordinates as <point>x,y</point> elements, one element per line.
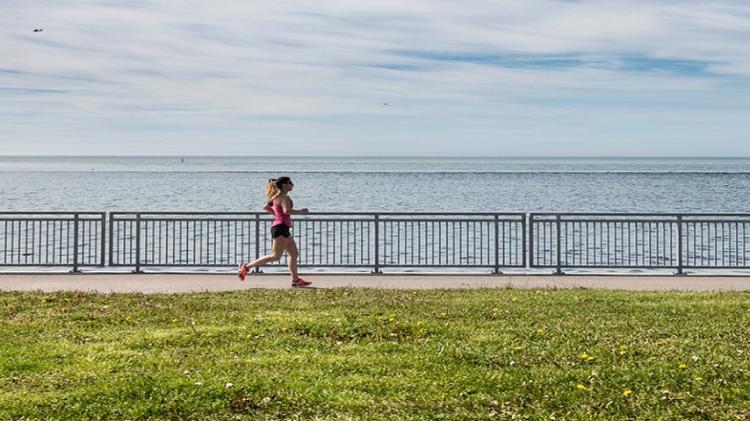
<point>649,241</point>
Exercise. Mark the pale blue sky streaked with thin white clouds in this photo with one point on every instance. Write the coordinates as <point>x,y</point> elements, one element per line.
<point>387,77</point>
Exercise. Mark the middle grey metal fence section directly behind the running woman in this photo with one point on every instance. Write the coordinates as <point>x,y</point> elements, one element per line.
<point>323,239</point>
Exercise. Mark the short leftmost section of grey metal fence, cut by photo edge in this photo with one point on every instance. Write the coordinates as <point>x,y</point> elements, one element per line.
<point>52,239</point>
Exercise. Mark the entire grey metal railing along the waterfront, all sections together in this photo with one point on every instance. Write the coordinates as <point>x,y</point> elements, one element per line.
<point>494,241</point>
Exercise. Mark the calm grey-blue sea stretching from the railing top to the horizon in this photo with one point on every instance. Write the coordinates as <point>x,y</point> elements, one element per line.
<point>335,184</point>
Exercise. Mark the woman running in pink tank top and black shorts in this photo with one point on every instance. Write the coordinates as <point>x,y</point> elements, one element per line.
<point>280,205</point>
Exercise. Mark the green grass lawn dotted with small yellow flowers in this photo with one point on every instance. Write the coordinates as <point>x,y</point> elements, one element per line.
<point>375,354</point>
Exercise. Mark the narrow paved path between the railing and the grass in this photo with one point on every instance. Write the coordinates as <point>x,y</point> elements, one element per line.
<point>180,283</point>
